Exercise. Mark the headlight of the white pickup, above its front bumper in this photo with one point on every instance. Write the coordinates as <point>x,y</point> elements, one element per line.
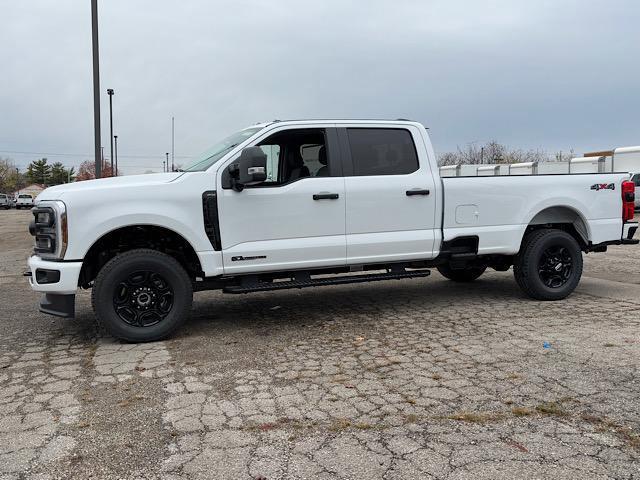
<point>49,227</point>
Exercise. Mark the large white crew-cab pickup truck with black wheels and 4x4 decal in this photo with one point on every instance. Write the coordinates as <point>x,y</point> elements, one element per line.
<point>293,204</point>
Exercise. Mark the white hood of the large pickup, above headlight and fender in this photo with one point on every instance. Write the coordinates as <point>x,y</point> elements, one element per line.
<point>129,181</point>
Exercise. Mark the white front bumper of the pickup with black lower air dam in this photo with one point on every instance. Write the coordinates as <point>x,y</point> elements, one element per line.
<point>58,281</point>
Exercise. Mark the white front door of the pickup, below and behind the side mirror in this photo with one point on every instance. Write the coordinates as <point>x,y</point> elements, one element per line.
<point>296,218</point>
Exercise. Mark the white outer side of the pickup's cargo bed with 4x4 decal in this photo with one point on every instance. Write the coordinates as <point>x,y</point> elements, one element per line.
<point>498,209</point>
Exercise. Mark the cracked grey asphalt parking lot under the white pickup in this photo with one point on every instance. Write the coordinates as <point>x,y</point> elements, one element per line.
<point>405,379</point>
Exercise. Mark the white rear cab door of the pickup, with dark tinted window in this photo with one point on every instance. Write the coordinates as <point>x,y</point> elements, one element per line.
<point>390,191</point>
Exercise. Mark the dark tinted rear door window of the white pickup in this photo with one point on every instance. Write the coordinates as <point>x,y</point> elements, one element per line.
<point>382,151</point>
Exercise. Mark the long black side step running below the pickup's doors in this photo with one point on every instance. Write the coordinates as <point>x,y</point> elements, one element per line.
<point>251,284</point>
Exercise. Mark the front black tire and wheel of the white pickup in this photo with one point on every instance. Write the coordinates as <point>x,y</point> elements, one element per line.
<point>153,276</point>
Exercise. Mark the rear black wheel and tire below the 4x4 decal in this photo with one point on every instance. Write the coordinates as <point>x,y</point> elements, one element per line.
<point>549,265</point>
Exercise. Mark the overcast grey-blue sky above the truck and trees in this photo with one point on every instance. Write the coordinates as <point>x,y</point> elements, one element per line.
<point>548,74</point>
